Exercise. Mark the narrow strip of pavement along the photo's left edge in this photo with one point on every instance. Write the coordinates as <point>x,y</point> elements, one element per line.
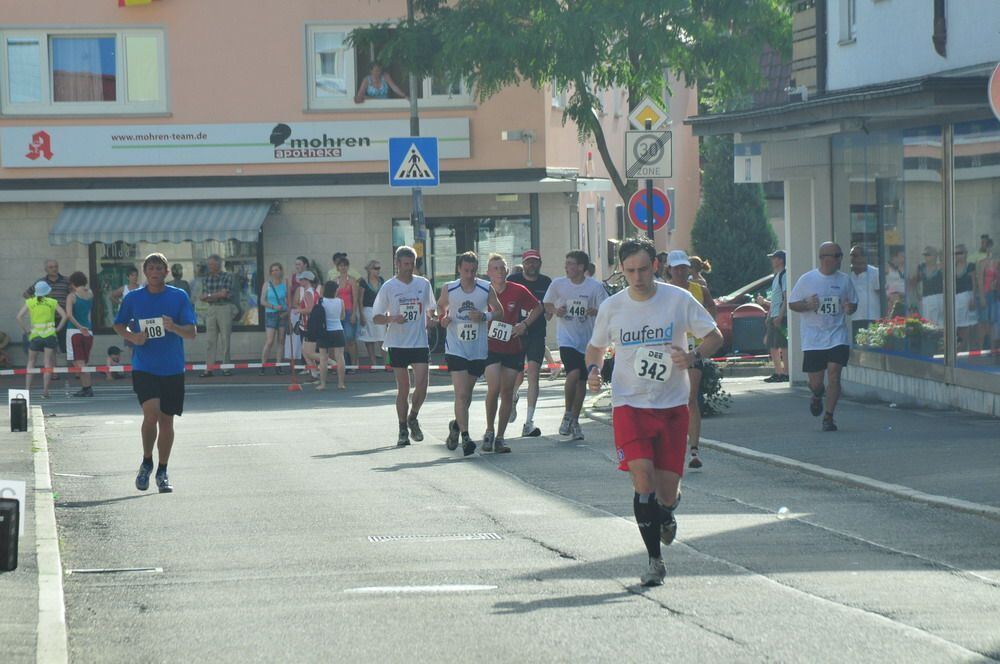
<point>19,588</point>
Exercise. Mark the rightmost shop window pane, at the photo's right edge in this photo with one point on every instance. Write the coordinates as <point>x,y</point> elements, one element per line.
<point>977,256</point>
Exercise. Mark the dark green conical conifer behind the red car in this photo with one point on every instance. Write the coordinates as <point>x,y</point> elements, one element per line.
<point>731,227</point>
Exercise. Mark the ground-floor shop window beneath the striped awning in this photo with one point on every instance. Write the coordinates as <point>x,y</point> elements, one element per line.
<point>110,264</point>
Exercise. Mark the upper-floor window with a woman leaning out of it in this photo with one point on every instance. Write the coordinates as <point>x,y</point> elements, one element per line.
<point>336,70</point>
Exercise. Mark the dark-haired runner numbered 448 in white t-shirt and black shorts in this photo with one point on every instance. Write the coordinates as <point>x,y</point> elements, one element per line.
<point>574,300</point>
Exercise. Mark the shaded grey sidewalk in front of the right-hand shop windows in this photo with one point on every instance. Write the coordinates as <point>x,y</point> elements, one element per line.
<point>943,453</point>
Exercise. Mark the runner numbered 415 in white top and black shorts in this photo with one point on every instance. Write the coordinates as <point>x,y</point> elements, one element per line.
<point>464,308</point>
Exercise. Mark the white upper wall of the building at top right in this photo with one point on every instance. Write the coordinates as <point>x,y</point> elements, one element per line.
<point>893,40</point>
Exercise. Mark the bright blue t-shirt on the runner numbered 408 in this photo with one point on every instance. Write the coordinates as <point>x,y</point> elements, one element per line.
<point>163,356</point>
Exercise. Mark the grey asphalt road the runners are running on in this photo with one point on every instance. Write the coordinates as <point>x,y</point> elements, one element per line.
<point>298,532</point>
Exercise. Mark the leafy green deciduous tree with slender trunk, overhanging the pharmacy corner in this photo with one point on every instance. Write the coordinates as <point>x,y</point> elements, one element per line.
<point>585,47</point>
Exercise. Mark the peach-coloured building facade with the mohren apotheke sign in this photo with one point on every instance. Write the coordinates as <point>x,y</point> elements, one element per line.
<point>233,128</point>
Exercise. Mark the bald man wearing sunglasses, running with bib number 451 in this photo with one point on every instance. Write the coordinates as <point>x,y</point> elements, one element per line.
<point>825,297</point>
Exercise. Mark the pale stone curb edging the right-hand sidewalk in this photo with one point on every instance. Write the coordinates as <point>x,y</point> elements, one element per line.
<point>850,479</point>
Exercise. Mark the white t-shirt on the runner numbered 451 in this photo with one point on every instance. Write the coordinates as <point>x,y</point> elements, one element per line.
<point>826,328</point>
